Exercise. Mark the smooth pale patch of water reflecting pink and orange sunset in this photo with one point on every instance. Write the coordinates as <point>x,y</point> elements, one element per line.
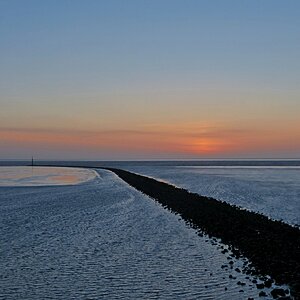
<point>41,176</point>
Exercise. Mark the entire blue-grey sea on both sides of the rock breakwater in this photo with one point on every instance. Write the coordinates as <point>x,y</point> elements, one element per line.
<point>76,235</point>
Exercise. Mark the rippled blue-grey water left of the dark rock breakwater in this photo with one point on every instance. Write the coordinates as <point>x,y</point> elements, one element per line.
<point>104,240</point>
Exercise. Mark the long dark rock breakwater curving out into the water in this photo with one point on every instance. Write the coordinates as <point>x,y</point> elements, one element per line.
<point>272,247</point>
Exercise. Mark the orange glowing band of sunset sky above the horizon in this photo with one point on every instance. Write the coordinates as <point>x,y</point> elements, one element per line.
<point>184,140</point>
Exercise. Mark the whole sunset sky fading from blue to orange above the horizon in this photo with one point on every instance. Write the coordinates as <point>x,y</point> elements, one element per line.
<point>149,79</point>
